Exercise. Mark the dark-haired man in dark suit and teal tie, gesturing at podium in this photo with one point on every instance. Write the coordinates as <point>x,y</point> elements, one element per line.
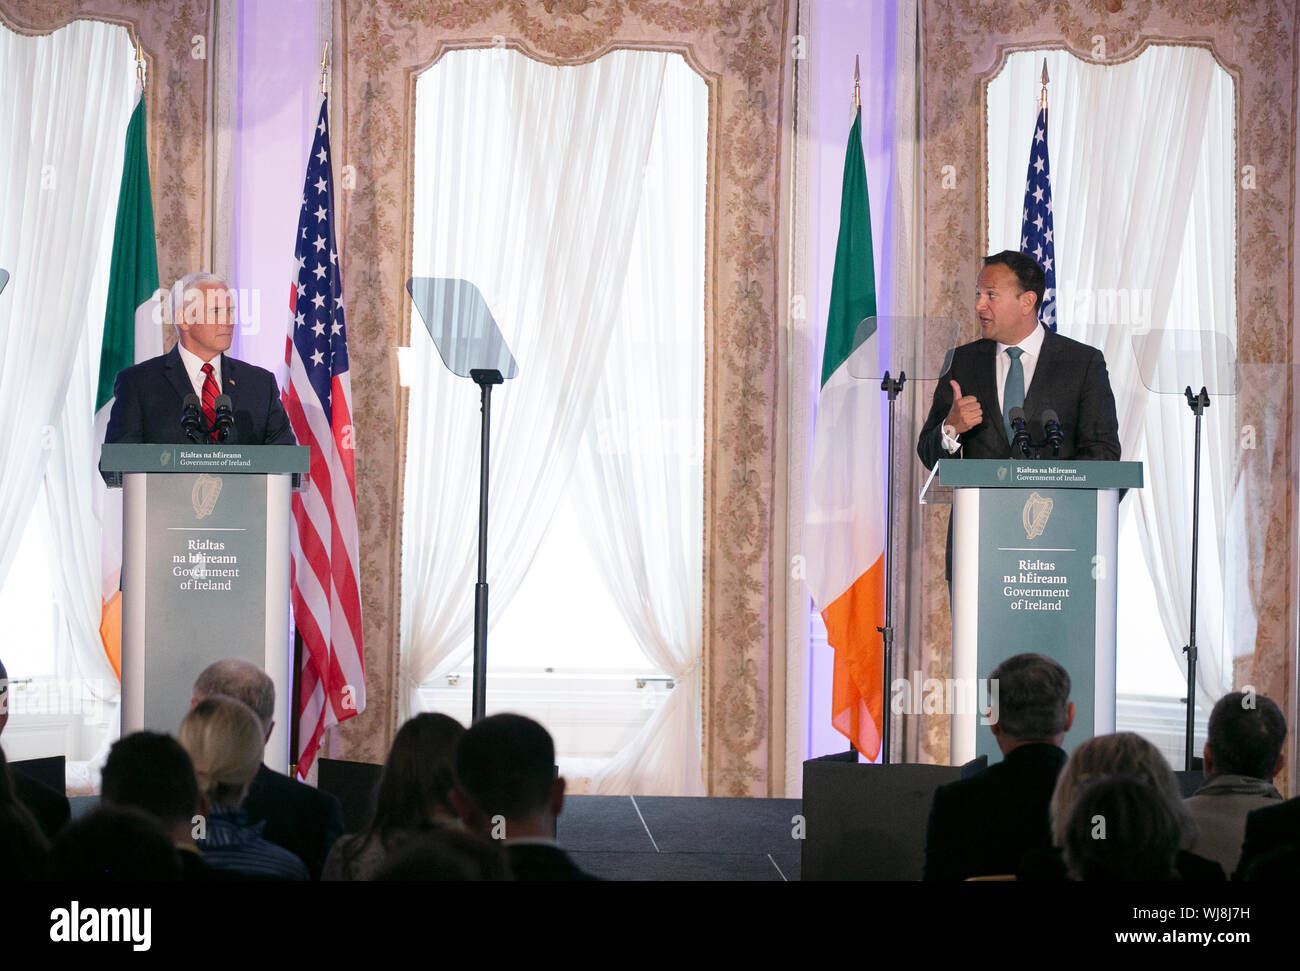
<point>1019,363</point>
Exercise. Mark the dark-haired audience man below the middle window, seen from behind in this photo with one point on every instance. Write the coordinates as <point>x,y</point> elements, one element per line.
<point>508,790</point>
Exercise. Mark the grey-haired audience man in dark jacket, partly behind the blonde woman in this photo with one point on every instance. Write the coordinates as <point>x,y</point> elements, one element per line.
<point>297,817</point>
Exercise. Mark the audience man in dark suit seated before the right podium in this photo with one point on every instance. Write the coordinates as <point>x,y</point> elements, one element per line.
<point>985,825</point>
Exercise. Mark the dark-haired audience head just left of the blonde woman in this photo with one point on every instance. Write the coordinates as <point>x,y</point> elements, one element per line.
<point>153,773</point>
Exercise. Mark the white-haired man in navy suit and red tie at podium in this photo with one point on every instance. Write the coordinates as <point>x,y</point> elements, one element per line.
<point>149,398</point>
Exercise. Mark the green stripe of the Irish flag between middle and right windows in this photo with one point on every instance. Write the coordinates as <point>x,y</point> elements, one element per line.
<point>853,288</point>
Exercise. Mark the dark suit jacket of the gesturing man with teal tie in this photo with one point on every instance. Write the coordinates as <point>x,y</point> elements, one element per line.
<point>1071,379</point>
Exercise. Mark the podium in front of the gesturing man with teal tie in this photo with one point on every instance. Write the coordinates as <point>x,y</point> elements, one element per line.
<point>1034,570</point>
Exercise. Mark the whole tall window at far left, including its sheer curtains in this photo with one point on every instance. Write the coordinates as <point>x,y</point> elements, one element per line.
<point>66,107</point>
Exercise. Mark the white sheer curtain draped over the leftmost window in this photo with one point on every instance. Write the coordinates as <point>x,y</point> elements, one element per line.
<point>67,103</point>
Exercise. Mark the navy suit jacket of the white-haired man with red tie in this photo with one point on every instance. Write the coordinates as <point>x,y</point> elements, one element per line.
<point>150,397</point>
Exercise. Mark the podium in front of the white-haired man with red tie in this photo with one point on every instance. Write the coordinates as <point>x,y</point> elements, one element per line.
<point>205,574</point>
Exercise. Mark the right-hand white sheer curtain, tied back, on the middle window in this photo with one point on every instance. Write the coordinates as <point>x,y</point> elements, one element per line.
<point>642,463</point>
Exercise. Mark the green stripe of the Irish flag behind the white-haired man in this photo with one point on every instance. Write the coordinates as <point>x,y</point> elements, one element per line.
<point>135,272</point>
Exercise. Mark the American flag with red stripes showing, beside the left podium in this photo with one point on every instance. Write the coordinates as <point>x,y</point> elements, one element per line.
<point>326,579</point>
